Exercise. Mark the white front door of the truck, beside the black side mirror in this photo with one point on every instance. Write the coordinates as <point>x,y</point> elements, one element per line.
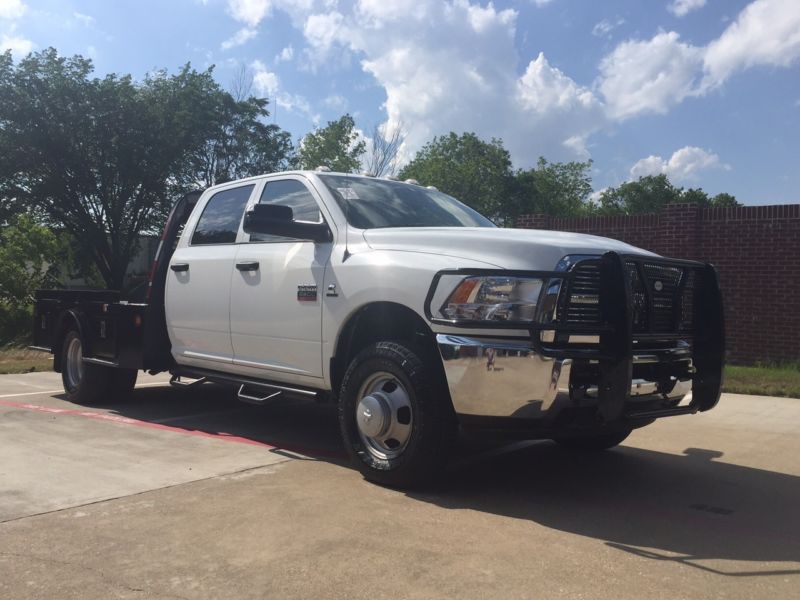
<point>276,292</point>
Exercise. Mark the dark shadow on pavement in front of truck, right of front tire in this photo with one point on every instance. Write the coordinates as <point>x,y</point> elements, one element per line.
<point>679,508</point>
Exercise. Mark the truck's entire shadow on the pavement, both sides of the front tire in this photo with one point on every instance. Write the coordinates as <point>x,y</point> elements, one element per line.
<point>665,507</point>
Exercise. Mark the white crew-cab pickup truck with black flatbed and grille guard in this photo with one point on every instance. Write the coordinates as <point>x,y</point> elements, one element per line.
<point>411,310</point>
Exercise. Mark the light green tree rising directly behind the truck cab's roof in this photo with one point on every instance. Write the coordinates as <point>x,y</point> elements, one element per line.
<point>336,146</point>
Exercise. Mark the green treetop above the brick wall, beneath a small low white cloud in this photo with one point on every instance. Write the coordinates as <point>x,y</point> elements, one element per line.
<point>645,195</point>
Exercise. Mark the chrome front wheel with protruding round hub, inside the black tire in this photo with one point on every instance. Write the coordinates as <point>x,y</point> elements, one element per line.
<point>384,416</point>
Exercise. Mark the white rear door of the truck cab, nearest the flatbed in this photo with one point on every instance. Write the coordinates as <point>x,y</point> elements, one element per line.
<point>198,282</point>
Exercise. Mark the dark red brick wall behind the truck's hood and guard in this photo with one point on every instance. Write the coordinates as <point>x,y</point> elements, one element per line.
<point>755,248</point>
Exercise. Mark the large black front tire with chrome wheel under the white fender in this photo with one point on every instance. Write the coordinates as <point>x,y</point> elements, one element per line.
<point>418,407</point>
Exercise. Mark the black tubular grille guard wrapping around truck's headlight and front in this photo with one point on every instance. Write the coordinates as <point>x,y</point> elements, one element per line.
<point>615,349</point>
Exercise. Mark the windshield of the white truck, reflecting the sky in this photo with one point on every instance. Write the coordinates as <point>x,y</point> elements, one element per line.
<point>375,203</point>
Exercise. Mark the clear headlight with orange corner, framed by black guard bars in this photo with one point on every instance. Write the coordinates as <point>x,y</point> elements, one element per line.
<point>494,298</point>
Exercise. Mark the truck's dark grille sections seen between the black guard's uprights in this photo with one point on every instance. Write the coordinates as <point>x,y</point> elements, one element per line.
<point>662,296</point>
